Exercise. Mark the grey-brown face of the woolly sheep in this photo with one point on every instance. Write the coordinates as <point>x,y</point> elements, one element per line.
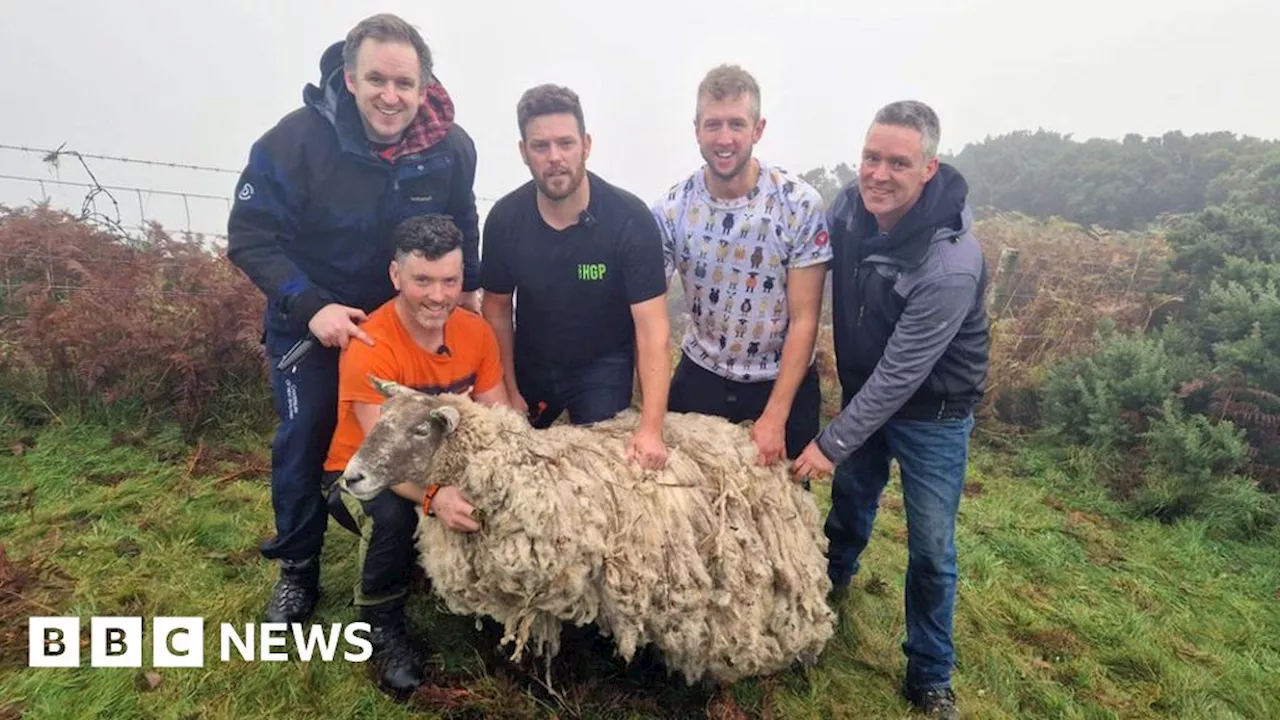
<point>403,445</point>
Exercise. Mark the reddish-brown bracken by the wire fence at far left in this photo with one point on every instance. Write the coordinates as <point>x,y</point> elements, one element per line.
<point>97,318</point>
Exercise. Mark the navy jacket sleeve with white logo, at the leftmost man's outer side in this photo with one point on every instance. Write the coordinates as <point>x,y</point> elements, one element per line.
<point>267,216</point>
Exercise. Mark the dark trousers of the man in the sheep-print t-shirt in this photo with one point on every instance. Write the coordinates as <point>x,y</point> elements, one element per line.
<point>696,390</point>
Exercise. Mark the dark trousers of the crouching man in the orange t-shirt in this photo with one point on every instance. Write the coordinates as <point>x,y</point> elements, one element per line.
<point>386,526</point>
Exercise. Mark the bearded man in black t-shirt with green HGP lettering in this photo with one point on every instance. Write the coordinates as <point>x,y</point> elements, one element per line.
<point>586,259</point>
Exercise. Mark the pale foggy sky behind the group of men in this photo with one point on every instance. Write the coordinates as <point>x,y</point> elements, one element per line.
<point>199,83</point>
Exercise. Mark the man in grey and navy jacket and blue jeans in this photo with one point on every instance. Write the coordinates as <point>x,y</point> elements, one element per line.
<point>912,349</point>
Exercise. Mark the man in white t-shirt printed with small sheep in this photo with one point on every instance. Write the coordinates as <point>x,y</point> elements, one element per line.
<point>751,245</point>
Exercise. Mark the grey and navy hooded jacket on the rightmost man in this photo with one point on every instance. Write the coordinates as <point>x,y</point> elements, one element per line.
<point>911,325</point>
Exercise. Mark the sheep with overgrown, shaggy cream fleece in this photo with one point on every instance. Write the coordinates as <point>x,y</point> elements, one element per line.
<point>715,560</point>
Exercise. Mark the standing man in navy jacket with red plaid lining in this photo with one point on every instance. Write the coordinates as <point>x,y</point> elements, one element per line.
<point>374,144</point>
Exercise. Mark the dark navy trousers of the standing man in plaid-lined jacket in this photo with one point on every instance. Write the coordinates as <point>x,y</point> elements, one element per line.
<point>307,403</point>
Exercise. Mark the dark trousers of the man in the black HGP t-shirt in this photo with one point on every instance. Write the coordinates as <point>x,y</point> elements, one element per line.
<point>591,391</point>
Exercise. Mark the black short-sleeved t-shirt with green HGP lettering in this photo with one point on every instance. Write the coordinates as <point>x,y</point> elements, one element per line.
<point>574,288</point>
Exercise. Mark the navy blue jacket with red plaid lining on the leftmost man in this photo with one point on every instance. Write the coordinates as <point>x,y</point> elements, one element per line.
<point>316,208</point>
